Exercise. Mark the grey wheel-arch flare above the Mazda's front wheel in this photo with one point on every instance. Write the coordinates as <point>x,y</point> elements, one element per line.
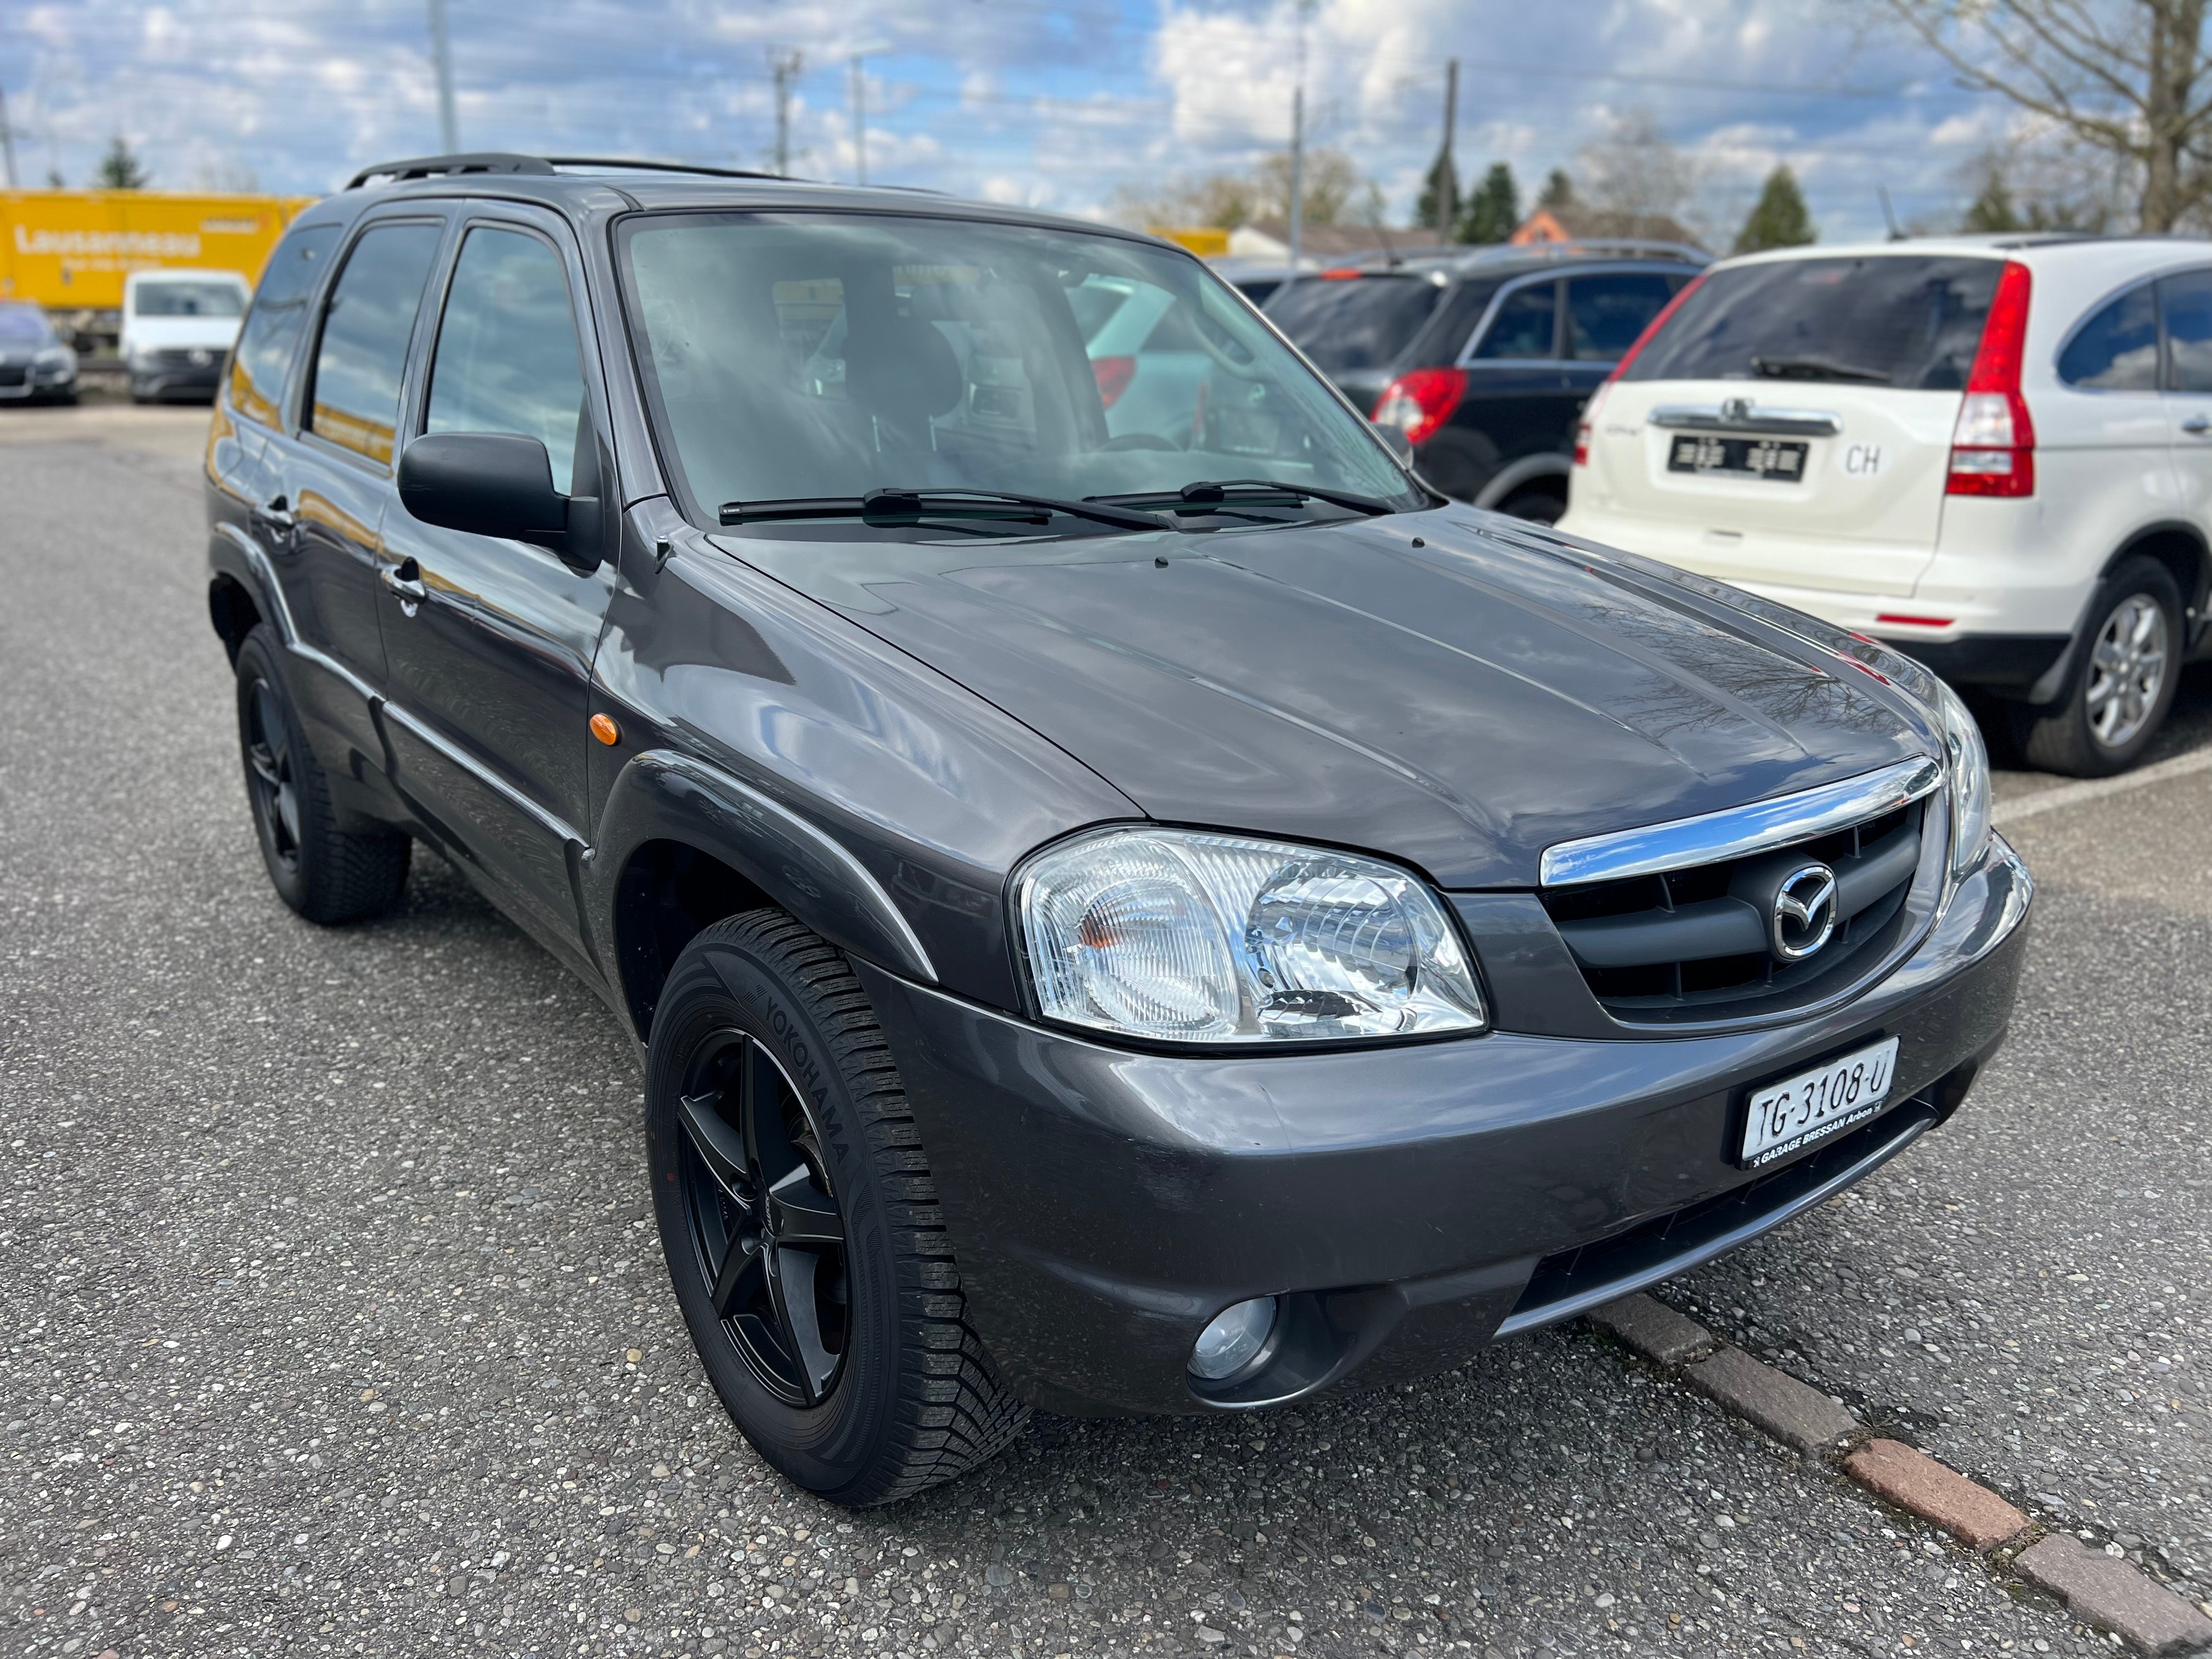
<point>662,795</point>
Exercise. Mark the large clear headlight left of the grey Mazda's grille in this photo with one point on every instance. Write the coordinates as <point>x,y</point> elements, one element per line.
<point>1187,937</point>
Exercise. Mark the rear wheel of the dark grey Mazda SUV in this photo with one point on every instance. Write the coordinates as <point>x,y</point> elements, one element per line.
<point>324,873</point>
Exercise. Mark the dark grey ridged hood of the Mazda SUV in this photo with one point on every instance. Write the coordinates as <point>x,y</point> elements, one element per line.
<point>1459,705</point>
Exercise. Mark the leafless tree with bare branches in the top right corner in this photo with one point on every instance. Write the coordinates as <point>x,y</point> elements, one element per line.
<point>2122,76</point>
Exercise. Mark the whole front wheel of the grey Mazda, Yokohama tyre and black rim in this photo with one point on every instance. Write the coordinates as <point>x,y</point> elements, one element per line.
<point>802,1224</point>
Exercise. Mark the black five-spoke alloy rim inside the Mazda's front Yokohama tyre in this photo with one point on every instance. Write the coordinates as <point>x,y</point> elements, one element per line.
<point>764,1218</point>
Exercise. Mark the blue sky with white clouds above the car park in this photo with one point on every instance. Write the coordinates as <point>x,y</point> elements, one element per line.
<point>1019,101</point>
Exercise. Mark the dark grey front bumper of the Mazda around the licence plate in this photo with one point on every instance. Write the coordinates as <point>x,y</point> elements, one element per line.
<point>1408,1204</point>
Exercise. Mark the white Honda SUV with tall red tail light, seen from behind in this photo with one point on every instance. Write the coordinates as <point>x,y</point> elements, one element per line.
<point>1990,452</point>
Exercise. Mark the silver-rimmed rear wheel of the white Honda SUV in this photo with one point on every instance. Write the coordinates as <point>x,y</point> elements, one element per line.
<point>2122,685</point>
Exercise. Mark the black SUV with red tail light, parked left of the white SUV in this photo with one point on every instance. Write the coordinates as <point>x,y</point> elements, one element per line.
<point>1483,359</point>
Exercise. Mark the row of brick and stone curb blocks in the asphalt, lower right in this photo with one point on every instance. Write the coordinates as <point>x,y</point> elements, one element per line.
<point>2096,1589</point>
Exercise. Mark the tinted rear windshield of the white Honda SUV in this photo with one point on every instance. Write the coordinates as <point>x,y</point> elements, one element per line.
<point>1886,320</point>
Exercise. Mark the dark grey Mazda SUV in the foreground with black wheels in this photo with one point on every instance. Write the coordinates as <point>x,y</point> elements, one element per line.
<point>1118,928</point>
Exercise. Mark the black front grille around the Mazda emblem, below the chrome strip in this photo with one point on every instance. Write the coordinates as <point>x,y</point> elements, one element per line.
<point>1698,943</point>
